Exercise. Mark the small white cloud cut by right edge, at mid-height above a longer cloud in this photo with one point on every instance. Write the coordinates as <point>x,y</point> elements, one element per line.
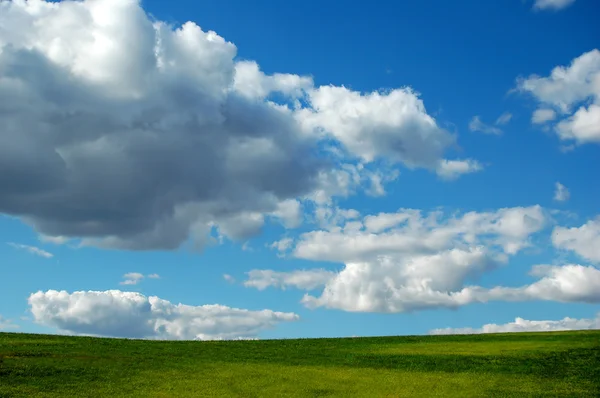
<point>584,240</point>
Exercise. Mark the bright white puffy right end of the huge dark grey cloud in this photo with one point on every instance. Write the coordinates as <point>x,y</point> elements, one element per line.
<point>392,125</point>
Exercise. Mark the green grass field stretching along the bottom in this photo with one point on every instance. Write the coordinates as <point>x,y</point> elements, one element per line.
<point>500,365</point>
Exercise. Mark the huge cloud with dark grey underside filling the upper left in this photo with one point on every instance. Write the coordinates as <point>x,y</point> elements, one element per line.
<point>134,134</point>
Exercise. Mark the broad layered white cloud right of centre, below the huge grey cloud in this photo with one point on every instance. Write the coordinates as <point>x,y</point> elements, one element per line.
<point>407,261</point>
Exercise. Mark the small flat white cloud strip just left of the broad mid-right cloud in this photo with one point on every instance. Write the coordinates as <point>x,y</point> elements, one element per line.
<point>300,279</point>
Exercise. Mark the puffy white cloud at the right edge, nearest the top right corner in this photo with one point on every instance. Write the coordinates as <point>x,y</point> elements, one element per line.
<point>573,92</point>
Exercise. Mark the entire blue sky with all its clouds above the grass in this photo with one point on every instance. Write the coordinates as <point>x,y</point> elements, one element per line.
<point>239,170</point>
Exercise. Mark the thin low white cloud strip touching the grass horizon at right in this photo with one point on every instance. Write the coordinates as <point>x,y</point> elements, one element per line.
<point>524,325</point>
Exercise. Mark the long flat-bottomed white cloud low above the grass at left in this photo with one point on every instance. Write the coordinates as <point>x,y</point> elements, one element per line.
<point>115,313</point>
